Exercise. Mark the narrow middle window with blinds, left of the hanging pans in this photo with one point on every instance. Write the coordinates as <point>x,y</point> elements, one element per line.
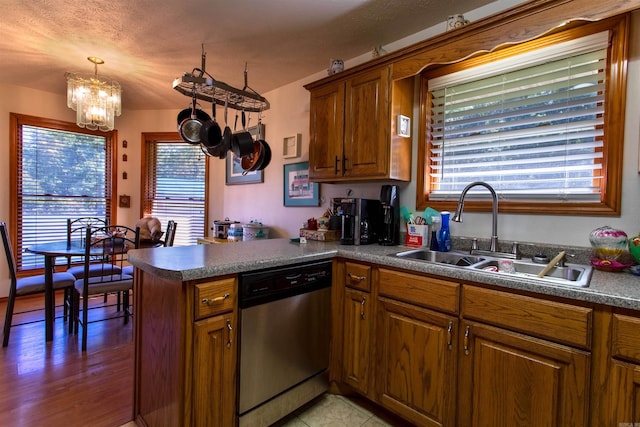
<point>175,185</point>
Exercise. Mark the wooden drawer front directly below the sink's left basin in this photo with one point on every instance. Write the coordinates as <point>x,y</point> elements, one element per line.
<point>419,290</point>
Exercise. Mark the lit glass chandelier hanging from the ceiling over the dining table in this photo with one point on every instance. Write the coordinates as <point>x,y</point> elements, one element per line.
<point>95,100</point>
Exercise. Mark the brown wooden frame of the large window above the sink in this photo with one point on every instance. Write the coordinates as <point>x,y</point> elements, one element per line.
<point>610,203</point>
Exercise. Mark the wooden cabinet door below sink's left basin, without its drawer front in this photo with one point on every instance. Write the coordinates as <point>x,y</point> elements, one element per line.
<point>416,363</point>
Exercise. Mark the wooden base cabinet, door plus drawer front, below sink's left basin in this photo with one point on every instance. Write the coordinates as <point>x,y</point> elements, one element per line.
<point>416,348</point>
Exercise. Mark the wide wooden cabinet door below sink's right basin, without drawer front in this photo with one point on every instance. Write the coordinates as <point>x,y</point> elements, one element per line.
<point>510,379</point>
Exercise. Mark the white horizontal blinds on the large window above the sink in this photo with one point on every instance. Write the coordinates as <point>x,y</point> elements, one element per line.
<point>532,125</point>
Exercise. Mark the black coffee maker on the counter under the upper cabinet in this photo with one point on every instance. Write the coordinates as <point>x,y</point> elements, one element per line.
<point>361,220</point>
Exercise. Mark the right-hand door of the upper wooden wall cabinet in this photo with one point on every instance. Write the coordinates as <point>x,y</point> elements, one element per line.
<point>367,125</point>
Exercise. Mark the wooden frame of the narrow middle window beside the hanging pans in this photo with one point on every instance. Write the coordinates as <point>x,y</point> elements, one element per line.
<point>145,170</point>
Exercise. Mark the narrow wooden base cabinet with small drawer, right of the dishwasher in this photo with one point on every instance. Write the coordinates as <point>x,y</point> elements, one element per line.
<point>357,325</point>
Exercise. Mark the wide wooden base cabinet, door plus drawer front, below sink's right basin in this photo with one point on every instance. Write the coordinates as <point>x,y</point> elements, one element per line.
<point>515,377</point>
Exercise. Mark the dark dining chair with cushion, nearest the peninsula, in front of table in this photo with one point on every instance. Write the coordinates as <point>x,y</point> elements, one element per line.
<point>112,243</point>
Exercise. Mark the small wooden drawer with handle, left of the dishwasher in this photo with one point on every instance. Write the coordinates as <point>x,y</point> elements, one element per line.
<point>215,297</point>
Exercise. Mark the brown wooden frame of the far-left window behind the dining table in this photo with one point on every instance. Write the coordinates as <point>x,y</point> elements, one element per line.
<point>15,127</point>
